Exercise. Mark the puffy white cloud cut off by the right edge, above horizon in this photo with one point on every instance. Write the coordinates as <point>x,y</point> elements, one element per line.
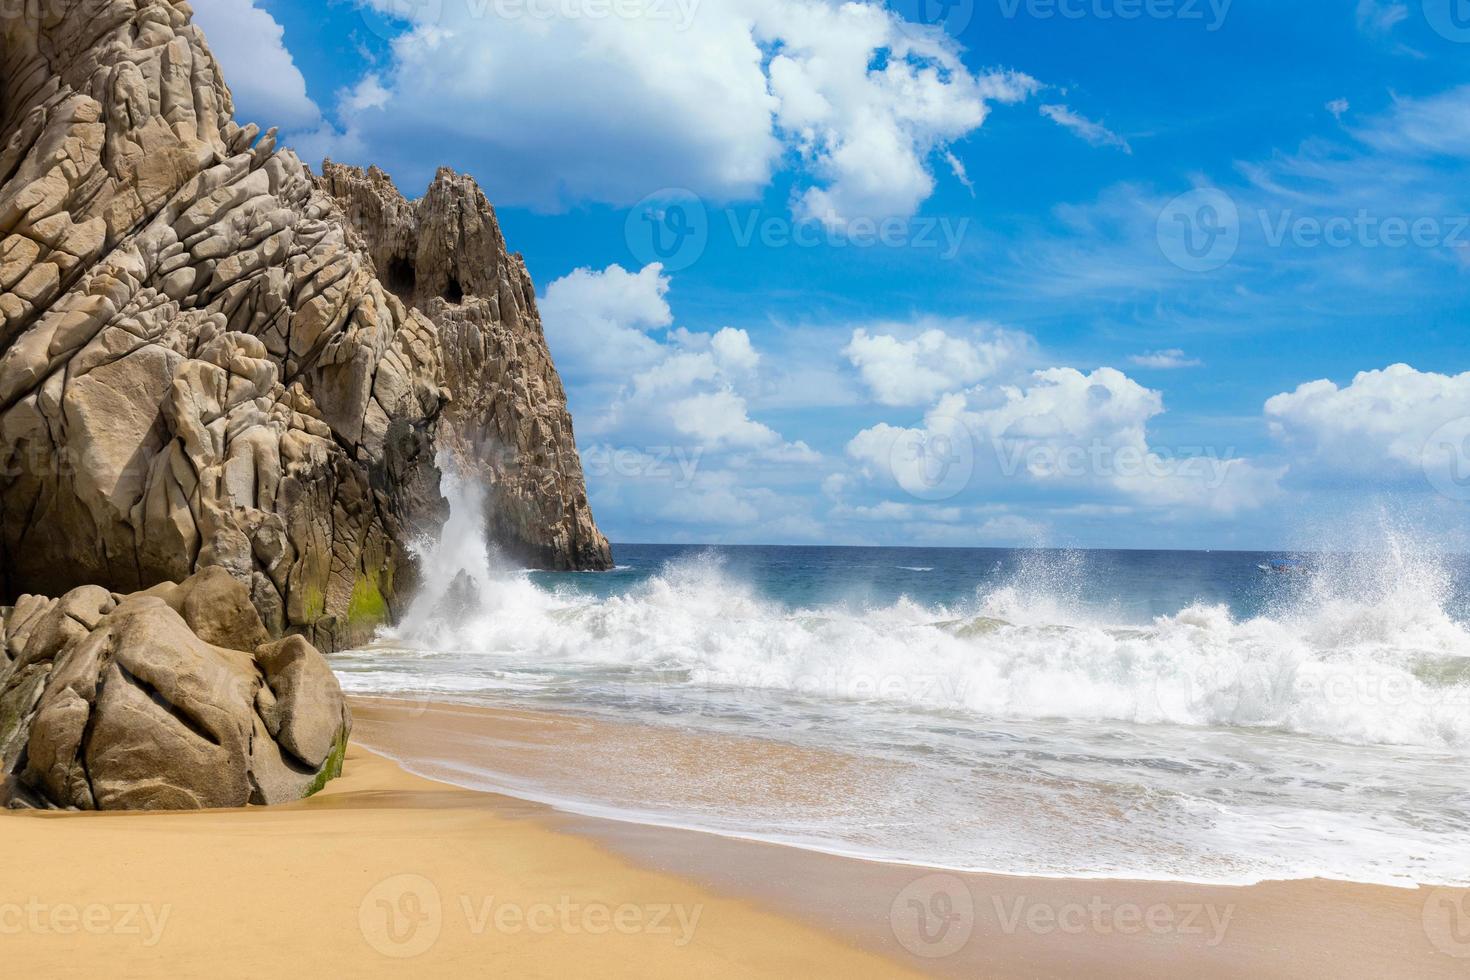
<point>1381,418</point>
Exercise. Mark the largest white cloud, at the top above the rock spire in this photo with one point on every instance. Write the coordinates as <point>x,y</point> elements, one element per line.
<point>561,109</point>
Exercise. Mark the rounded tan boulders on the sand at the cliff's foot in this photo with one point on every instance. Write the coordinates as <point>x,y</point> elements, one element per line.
<point>165,700</point>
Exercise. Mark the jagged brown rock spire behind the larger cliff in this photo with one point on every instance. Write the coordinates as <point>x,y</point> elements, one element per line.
<point>508,424</point>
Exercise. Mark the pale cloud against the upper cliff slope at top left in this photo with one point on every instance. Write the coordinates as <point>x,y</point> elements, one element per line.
<point>264,79</point>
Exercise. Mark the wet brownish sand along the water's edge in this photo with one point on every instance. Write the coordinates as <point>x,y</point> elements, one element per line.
<point>1065,925</point>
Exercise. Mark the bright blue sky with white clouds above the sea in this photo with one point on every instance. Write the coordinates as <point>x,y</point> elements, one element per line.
<point>1047,273</point>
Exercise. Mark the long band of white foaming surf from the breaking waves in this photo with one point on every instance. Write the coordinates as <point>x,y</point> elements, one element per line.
<point>1387,665</point>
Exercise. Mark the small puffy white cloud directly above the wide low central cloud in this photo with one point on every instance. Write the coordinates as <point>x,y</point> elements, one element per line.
<point>911,372</point>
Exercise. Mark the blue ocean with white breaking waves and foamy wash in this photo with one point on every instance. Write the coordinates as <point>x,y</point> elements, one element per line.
<point>1131,715</point>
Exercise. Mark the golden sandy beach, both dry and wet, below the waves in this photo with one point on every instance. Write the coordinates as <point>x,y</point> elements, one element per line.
<point>387,872</point>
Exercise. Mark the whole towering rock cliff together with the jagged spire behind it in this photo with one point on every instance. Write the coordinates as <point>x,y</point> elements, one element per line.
<point>199,365</point>
